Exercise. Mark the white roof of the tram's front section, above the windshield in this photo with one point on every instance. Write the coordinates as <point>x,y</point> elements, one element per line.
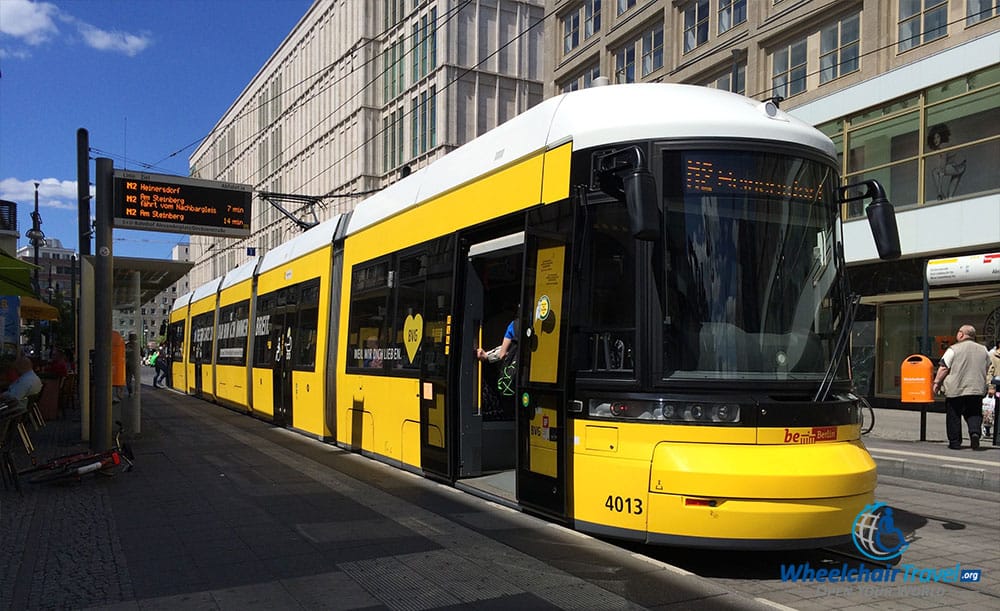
<point>594,117</point>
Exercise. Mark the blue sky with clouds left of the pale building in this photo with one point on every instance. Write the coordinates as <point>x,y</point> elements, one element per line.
<point>148,79</point>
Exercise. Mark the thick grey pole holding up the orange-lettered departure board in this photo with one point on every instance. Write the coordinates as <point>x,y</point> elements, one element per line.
<point>103,286</point>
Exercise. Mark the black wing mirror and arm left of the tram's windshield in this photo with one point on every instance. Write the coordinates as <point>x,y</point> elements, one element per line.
<point>623,174</point>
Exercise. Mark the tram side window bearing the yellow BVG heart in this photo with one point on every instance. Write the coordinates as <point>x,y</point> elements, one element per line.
<point>408,318</point>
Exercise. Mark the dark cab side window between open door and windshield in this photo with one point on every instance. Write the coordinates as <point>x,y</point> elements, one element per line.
<point>604,343</point>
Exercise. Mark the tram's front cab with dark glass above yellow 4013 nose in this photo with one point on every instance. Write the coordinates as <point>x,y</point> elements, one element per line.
<point>712,348</point>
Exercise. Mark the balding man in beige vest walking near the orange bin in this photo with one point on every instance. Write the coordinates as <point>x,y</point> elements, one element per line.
<point>962,376</point>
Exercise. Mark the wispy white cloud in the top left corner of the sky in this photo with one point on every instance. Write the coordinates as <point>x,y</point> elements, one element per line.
<point>34,23</point>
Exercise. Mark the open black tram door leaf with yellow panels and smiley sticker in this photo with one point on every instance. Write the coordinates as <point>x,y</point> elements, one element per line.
<point>541,381</point>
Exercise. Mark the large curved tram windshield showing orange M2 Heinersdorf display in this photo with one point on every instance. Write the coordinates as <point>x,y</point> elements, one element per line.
<point>748,281</point>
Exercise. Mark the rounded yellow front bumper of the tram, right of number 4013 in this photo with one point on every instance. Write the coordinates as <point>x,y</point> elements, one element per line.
<point>774,495</point>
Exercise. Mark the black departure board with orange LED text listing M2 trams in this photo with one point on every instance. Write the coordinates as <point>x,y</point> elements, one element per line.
<point>176,204</point>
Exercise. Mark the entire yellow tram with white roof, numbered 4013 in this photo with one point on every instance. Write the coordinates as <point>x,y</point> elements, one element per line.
<point>668,260</point>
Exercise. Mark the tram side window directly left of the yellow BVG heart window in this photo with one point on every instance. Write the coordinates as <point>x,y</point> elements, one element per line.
<point>366,327</point>
